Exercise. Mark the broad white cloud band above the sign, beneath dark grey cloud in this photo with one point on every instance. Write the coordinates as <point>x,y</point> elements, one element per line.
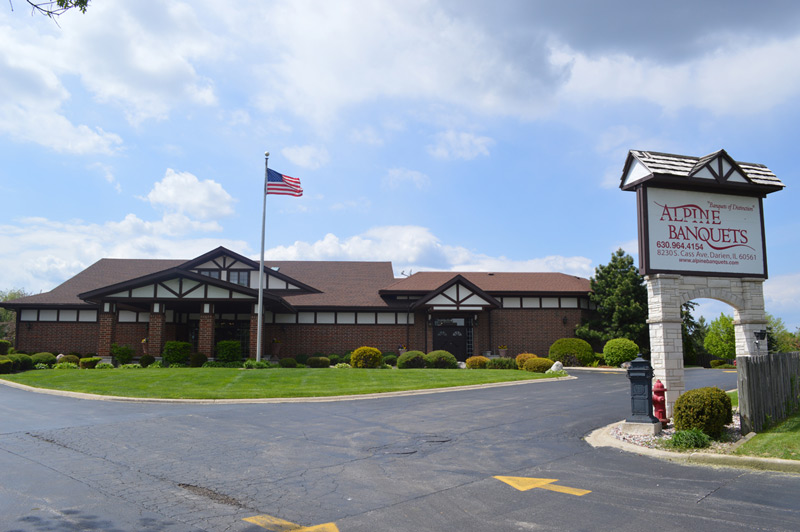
<point>723,81</point>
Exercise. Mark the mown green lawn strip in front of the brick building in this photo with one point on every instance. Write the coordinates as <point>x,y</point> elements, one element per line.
<point>225,383</point>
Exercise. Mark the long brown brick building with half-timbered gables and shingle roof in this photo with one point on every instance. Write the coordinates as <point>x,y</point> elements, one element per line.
<point>309,307</point>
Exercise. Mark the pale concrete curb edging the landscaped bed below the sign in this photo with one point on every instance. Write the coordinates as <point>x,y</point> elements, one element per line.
<point>602,438</point>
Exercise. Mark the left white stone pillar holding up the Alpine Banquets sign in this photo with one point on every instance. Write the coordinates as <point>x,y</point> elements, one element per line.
<point>666,341</point>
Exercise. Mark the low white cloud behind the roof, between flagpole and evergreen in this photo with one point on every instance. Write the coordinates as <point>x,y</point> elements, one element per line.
<point>417,248</point>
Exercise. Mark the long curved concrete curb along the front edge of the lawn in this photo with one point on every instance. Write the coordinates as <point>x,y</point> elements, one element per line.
<point>273,400</point>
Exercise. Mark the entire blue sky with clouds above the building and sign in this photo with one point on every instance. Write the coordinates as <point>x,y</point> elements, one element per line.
<point>452,135</point>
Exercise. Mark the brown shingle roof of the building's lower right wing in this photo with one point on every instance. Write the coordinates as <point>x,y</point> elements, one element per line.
<point>495,282</point>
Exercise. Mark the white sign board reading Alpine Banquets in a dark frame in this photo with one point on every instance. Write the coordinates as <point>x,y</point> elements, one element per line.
<point>701,233</point>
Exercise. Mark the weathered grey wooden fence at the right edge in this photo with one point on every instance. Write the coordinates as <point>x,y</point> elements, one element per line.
<point>769,389</point>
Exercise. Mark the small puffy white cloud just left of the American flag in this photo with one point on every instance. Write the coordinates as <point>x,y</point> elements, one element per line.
<point>183,193</point>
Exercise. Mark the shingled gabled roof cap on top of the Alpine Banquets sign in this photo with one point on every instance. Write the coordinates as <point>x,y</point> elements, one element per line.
<point>716,170</point>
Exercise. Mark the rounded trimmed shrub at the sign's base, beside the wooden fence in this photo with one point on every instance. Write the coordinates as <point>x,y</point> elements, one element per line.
<point>708,409</point>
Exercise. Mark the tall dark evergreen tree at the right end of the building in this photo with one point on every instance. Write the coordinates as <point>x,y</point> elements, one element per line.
<point>620,295</point>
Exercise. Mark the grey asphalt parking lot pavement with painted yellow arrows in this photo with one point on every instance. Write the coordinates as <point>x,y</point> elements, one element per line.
<point>422,462</point>
